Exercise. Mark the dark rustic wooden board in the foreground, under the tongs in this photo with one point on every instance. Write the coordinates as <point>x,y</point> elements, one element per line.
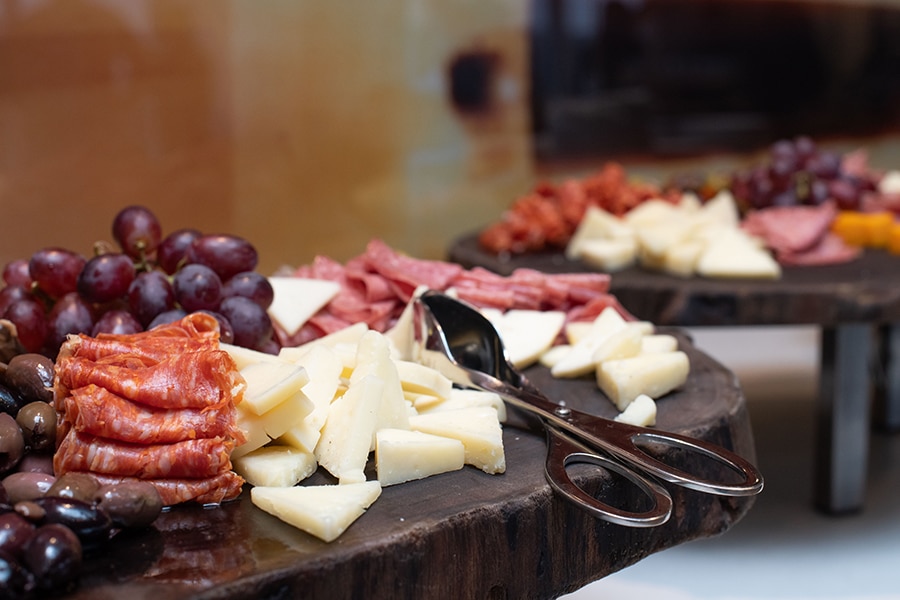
<point>464,534</point>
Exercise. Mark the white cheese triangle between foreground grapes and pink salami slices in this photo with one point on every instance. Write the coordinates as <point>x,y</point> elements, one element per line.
<point>297,299</point>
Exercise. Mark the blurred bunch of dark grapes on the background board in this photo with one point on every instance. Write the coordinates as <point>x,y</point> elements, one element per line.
<point>798,172</point>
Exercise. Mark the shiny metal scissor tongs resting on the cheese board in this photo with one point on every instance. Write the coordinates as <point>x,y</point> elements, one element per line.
<point>459,341</point>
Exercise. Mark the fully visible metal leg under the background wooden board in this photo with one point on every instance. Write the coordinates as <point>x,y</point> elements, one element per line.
<point>843,418</point>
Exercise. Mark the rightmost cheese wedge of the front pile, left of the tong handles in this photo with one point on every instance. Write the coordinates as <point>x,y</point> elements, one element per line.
<point>478,428</point>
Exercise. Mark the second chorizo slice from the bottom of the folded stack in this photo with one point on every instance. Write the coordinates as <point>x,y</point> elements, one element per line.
<point>199,458</point>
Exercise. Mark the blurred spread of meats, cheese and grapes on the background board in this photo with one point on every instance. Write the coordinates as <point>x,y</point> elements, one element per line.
<point>801,205</point>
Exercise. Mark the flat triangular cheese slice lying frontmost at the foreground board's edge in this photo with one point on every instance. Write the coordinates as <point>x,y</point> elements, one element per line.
<point>325,511</point>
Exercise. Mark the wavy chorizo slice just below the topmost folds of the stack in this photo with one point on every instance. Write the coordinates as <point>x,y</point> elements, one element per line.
<point>192,380</point>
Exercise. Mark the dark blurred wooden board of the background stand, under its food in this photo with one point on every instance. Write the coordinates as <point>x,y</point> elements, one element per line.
<point>864,290</point>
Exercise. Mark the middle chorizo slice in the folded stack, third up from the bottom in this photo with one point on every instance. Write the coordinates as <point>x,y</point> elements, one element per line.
<point>97,411</point>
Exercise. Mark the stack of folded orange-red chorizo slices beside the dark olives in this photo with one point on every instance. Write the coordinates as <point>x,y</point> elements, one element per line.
<point>157,406</point>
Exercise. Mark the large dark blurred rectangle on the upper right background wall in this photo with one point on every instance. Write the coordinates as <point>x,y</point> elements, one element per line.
<point>686,77</point>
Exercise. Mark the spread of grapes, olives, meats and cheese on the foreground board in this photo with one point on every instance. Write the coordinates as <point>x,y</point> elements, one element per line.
<point>167,371</point>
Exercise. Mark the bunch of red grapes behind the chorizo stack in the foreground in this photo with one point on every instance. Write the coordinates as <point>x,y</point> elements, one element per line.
<point>143,281</point>
